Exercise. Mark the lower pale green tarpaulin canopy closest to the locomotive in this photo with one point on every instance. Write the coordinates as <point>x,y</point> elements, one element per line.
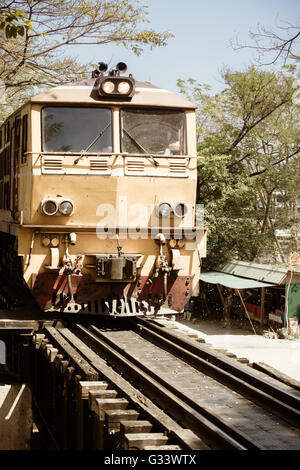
<point>228,280</point>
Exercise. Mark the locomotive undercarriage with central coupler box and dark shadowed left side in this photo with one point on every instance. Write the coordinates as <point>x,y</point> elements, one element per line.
<point>162,292</point>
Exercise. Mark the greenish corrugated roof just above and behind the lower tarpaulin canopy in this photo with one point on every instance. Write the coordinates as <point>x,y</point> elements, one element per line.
<point>259,272</point>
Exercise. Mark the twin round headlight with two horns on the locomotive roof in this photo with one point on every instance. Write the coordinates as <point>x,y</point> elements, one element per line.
<point>113,85</point>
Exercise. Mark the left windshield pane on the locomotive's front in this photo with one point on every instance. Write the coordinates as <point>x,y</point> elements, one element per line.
<point>70,129</point>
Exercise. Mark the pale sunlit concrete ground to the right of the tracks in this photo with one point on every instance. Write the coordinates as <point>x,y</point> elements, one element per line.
<point>280,354</point>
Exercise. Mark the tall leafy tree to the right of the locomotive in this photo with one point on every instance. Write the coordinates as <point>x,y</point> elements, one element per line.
<point>249,136</point>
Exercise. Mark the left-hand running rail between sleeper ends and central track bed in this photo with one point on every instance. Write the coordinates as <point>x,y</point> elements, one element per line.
<point>182,408</point>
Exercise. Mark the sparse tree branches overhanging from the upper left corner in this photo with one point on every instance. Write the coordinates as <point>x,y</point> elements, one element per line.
<point>38,58</point>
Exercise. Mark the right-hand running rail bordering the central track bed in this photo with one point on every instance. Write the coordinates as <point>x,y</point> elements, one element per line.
<point>227,377</point>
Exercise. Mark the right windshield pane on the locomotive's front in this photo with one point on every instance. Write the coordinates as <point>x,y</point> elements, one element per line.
<point>159,132</point>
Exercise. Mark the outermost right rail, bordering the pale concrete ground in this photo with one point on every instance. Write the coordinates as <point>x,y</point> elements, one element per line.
<point>225,364</point>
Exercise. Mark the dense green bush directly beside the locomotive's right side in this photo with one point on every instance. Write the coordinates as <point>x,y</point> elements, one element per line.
<point>229,200</point>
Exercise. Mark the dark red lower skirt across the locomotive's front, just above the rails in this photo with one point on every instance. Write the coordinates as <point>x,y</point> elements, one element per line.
<point>142,297</point>
